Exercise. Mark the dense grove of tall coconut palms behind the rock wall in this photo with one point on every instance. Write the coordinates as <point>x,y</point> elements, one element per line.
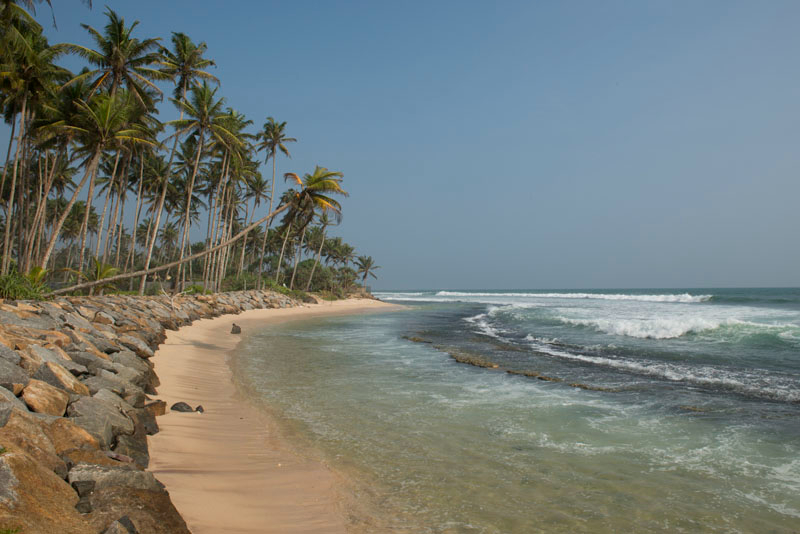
<point>94,134</point>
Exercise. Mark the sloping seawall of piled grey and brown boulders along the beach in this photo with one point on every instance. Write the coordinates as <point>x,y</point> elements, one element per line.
<point>76,407</point>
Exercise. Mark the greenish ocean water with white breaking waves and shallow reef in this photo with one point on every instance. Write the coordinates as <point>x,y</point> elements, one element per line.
<point>549,411</point>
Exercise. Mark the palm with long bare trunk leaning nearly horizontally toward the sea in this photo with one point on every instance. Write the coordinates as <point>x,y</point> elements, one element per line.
<point>317,189</point>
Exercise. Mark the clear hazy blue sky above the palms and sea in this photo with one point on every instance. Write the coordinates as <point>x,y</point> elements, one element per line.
<point>501,145</point>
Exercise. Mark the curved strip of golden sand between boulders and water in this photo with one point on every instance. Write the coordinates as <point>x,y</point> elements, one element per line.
<point>228,469</point>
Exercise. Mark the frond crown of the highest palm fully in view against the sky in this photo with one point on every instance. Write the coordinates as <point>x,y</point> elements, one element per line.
<point>121,59</point>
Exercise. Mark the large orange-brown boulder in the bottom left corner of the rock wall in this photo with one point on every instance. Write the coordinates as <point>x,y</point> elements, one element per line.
<point>33,499</point>
